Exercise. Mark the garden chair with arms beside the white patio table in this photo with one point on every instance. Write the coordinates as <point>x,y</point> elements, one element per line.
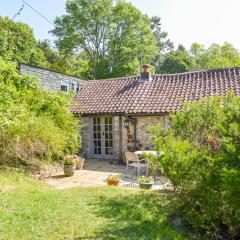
<point>133,160</point>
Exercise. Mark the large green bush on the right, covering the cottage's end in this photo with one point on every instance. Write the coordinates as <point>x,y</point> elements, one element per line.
<point>201,158</point>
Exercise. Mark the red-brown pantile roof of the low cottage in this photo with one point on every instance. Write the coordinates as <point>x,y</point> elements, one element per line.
<point>163,94</point>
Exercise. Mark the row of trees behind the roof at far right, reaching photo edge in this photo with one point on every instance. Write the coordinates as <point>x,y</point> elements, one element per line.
<point>200,58</point>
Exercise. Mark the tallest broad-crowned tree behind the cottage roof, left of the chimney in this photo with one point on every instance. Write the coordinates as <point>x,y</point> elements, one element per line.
<point>111,34</point>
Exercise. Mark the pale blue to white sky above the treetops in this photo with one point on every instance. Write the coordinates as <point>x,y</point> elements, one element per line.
<point>186,21</point>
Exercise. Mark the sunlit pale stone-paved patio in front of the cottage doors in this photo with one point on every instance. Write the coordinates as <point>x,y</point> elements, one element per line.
<point>95,173</point>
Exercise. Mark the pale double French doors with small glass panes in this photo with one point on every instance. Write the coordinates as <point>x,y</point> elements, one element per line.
<point>102,138</point>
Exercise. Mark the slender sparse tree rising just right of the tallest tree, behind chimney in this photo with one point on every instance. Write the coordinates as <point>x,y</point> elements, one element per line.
<point>164,44</point>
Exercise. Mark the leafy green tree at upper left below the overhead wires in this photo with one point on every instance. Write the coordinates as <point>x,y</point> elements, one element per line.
<point>17,43</point>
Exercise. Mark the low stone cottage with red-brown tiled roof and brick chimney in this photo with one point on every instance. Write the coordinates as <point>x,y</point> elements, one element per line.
<point>117,113</point>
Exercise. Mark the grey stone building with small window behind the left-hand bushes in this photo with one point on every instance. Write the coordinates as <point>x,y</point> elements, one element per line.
<point>51,80</point>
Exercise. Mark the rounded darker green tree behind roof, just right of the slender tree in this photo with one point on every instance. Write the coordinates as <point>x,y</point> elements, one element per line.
<point>177,61</point>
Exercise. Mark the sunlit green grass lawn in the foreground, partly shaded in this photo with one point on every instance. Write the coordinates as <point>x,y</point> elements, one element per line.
<point>30,209</point>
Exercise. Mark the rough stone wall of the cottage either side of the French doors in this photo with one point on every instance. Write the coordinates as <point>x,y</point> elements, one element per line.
<point>128,137</point>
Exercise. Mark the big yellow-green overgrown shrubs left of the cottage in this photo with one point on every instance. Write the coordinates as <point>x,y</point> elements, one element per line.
<point>34,124</point>
